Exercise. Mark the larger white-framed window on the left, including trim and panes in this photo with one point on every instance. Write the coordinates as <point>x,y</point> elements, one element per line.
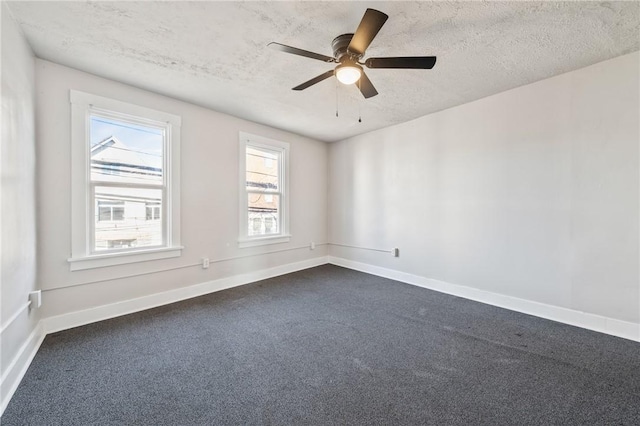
<point>125,183</point>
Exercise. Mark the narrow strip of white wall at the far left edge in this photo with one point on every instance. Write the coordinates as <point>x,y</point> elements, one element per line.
<point>18,204</point>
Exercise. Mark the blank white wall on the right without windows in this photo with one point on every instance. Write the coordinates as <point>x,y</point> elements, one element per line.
<point>532,193</point>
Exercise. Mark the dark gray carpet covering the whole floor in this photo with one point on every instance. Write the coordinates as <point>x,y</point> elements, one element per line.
<point>329,346</point>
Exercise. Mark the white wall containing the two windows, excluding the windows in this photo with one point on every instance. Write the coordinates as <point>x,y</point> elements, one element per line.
<point>209,198</point>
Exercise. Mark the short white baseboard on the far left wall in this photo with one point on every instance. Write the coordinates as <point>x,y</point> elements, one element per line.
<point>15,371</point>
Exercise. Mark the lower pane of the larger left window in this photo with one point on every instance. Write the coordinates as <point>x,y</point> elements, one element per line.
<point>122,220</point>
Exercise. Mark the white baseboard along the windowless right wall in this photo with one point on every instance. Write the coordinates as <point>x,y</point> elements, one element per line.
<point>599,323</point>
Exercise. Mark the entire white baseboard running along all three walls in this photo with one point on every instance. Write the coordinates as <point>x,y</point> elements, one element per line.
<point>14,373</point>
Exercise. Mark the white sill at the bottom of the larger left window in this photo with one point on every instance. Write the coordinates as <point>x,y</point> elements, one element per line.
<point>121,258</point>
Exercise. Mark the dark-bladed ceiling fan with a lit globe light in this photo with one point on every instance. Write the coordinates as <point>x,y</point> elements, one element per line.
<point>348,50</point>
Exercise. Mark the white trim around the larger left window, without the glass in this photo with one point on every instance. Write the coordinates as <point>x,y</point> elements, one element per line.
<point>81,255</point>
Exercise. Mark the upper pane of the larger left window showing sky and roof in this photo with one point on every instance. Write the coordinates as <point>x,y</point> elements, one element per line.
<point>125,152</point>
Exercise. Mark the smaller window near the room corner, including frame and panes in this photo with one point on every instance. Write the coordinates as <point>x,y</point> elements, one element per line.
<point>263,191</point>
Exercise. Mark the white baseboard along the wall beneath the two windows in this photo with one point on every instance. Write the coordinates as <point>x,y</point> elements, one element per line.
<point>100,313</point>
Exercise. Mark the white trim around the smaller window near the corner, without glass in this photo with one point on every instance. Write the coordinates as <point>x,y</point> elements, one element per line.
<point>283,236</point>
